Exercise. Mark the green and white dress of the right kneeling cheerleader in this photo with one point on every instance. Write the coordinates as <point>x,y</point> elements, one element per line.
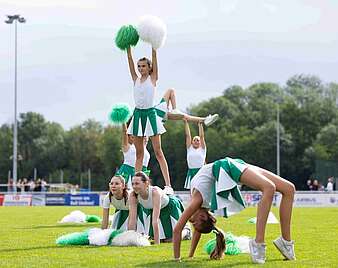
<point>171,210</point>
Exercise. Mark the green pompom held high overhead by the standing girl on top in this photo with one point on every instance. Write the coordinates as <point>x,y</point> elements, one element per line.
<point>126,36</point>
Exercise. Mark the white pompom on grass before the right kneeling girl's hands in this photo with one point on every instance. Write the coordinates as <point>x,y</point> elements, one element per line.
<point>130,238</point>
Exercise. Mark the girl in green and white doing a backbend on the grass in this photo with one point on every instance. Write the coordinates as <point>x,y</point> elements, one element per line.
<point>214,187</point>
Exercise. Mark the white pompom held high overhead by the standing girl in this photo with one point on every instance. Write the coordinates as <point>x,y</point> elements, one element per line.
<point>152,30</point>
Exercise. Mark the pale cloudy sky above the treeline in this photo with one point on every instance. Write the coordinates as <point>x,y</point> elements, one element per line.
<point>69,69</point>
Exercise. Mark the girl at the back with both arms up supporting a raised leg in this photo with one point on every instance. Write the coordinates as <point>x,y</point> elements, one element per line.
<point>196,152</point>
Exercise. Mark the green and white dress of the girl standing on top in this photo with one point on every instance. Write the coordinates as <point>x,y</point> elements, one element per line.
<point>147,118</point>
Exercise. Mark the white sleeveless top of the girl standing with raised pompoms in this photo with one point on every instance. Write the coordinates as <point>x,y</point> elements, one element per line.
<point>144,93</point>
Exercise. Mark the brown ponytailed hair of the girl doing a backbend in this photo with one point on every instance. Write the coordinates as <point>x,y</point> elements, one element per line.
<point>209,225</point>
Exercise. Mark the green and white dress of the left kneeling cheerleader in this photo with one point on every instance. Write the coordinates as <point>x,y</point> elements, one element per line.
<point>119,219</point>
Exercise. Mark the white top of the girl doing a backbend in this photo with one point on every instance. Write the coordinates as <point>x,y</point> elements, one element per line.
<point>203,182</point>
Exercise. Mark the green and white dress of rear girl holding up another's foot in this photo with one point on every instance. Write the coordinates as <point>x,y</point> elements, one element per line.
<point>195,160</point>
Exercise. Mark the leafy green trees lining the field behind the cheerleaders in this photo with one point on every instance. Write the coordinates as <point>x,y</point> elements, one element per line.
<point>246,129</point>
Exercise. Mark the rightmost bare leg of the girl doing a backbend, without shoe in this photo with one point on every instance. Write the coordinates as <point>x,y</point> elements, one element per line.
<point>287,189</point>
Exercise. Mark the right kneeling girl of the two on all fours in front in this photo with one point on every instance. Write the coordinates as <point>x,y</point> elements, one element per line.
<point>163,210</point>
